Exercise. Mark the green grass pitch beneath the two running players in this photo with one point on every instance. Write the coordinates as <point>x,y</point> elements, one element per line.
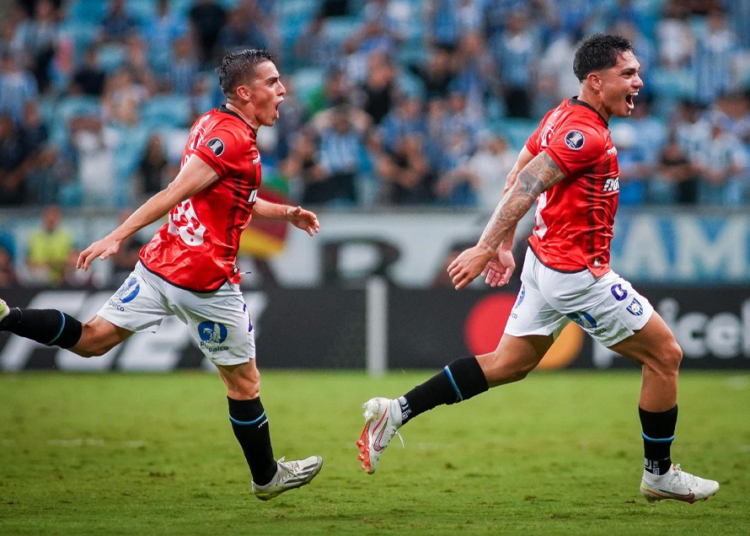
<point>556,454</point>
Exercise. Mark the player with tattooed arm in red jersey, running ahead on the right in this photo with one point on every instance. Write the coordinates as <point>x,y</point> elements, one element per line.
<point>569,167</point>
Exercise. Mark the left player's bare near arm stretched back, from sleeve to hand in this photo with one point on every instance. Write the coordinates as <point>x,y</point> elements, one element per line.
<point>194,176</point>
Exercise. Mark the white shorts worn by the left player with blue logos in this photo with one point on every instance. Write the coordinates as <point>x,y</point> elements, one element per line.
<point>219,321</point>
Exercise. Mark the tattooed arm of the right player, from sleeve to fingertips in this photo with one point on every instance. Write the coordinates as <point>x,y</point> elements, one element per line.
<point>539,175</point>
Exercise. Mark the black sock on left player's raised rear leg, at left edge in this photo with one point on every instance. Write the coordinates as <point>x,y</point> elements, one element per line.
<point>47,326</point>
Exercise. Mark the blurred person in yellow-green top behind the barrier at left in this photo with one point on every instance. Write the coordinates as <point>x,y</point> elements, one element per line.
<point>48,249</point>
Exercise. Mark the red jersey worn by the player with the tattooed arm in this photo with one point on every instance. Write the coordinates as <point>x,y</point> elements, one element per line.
<point>574,218</point>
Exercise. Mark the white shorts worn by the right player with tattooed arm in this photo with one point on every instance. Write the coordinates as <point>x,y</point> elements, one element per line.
<point>608,308</point>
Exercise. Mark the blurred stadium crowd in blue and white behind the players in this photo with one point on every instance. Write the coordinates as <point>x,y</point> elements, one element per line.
<point>390,102</point>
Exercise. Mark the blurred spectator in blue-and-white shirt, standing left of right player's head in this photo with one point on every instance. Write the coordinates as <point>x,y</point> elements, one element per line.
<point>516,51</point>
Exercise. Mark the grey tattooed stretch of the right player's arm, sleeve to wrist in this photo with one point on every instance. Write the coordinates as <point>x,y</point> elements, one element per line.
<point>541,174</point>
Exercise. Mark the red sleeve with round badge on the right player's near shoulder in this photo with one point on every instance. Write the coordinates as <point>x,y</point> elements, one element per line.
<point>576,147</point>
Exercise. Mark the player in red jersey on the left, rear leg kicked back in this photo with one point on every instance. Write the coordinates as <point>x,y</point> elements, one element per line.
<point>189,267</point>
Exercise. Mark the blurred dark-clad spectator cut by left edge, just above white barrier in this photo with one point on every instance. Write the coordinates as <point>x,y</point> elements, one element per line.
<point>13,156</point>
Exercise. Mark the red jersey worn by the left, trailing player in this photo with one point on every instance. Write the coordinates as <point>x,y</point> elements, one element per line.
<point>197,248</point>
